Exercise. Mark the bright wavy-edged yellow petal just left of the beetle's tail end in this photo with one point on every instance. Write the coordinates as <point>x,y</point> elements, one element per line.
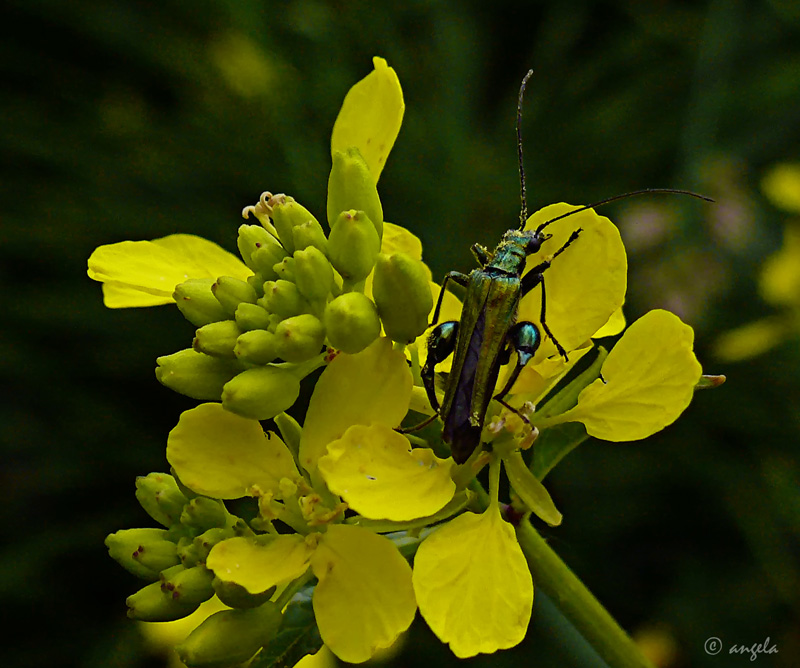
<point>377,473</point>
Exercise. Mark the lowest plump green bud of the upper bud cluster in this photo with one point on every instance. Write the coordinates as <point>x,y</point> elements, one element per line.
<point>261,393</point>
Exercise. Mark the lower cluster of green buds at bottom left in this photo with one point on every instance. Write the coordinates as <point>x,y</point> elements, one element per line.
<point>173,559</point>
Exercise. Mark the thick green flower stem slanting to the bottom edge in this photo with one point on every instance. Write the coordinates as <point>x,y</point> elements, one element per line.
<point>577,603</point>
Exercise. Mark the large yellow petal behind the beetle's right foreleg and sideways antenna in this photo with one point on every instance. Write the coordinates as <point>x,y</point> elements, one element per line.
<point>585,284</point>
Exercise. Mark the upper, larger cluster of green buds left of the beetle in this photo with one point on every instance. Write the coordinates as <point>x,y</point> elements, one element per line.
<point>257,339</point>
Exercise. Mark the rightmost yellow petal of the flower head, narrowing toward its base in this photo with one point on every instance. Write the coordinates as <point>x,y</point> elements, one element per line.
<point>649,376</point>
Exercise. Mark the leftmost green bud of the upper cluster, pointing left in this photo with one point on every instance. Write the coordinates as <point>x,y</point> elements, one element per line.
<point>194,374</point>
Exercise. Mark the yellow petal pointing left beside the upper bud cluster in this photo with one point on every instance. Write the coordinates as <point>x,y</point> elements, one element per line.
<point>145,273</point>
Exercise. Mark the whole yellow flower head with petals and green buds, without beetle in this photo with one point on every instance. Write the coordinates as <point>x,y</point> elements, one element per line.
<point>343,503</point>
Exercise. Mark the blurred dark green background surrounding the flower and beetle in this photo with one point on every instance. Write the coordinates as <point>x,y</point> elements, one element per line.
<point>134,120</point>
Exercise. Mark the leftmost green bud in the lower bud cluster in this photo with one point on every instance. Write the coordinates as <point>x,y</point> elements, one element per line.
<point>143,552</point>
